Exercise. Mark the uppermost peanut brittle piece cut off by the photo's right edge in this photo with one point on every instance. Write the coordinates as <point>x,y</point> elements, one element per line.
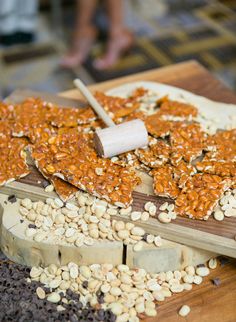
<point>222,146</point>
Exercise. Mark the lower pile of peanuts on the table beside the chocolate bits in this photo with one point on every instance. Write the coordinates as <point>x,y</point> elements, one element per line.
<point>129,293</point>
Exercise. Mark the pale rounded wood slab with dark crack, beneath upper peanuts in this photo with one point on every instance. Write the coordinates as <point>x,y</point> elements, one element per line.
<point>24,250</point>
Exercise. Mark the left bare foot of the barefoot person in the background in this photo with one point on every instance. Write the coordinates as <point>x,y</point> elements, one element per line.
<point>82,45</point>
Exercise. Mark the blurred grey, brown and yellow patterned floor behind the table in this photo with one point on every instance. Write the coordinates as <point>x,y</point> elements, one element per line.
<point>176,30</point>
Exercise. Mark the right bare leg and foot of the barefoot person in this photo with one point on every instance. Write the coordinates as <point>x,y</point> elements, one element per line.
<point>119,40</point>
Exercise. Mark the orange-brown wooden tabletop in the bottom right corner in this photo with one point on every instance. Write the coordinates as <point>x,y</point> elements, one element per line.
<point>208,303</point>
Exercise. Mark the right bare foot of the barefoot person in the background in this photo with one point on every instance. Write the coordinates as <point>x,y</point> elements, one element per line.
<point>117,45</point>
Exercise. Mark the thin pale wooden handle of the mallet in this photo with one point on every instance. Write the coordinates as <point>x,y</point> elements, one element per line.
<point>93,102</point>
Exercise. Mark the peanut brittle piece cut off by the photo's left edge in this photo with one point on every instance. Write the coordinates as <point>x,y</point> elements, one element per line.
<point>12,159</point>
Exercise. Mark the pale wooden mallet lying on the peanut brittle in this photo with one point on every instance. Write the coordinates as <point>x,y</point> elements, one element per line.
<point>115,139</point>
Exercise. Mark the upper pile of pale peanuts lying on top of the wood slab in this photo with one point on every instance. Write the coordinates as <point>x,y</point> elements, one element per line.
<point>84,223</point>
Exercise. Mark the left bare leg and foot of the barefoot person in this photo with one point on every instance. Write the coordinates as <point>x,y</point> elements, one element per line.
<point>84,35</point>
